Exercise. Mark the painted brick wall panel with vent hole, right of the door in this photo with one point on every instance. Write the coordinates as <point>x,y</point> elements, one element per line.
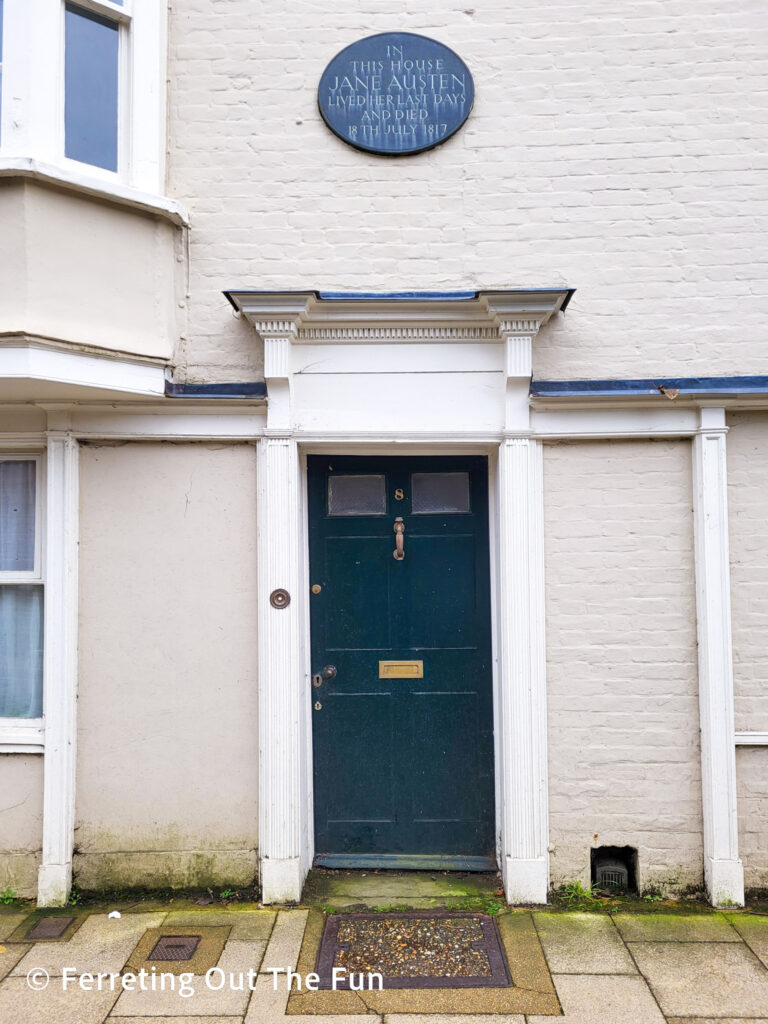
<point>624,747</point>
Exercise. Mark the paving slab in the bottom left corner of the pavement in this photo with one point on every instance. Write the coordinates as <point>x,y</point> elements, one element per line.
<point>20,1005</point>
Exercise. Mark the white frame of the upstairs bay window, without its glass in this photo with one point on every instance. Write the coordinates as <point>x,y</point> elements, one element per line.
<point>33,95</point>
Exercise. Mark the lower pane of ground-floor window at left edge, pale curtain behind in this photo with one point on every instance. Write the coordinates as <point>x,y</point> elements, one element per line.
<point>21,652</point>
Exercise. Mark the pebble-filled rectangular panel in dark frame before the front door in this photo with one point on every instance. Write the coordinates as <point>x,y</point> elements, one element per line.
<point>413,951</point>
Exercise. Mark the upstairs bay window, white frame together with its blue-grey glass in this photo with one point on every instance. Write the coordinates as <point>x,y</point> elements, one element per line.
<point>82,91</point>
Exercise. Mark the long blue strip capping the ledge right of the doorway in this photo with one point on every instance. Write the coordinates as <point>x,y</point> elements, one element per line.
<point>650,387</point>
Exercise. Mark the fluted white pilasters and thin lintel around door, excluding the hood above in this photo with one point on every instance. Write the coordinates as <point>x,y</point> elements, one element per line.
<point>516,529</point>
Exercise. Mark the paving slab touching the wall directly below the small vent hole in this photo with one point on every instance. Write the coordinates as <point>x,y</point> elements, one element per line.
<point>582,944</point>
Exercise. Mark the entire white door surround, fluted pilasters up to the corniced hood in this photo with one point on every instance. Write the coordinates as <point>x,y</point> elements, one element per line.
<point>300,423</point>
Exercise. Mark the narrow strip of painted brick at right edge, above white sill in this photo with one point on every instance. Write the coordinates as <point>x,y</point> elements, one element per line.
<point>748,515</point>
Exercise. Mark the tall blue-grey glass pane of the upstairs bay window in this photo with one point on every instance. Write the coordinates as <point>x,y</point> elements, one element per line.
<point>92,89</point>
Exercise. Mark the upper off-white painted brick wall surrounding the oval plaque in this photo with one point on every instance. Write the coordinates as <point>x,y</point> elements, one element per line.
<point>619,150</point>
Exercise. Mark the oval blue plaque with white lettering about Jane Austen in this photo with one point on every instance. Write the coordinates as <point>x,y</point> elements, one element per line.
<point>396,94</point>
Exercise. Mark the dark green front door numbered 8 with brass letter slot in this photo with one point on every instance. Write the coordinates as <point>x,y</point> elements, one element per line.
<point>402,689</point>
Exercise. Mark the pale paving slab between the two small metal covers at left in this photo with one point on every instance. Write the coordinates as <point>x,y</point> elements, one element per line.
<point>102,945</point>
